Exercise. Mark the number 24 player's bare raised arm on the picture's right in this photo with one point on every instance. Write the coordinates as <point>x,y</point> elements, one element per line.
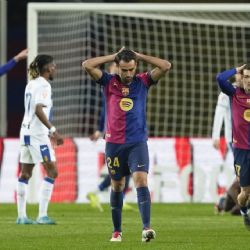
<point>162,66</point>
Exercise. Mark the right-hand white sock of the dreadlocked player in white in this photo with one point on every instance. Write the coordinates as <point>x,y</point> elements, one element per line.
<point>45,195</point>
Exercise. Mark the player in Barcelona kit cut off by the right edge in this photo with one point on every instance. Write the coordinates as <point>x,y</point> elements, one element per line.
<point>240,102</point>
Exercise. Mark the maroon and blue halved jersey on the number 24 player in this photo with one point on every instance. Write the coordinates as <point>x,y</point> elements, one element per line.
<point>125,107</point>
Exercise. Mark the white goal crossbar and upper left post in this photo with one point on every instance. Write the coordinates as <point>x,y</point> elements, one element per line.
<point>33,8</point>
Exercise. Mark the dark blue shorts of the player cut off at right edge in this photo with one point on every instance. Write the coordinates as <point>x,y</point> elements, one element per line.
<point>242,165</point>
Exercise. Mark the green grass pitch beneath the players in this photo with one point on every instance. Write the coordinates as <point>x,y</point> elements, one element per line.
<point>178,226</point>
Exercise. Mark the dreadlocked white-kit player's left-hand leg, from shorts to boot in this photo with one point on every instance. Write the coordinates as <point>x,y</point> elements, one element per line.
<point>22,185</point>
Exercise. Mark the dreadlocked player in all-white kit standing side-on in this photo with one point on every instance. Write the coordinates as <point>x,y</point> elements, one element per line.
<point>36,135</point>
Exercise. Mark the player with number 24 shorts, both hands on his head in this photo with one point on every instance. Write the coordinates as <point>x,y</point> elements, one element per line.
<point>126,131</point>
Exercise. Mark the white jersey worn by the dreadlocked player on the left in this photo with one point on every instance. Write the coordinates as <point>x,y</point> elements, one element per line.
<point>37,91</point>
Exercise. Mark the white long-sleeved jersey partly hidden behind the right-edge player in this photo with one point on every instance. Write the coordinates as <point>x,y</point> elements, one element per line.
<point>222,114</point>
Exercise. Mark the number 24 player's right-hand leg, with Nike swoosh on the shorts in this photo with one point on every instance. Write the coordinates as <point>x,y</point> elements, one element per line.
<point>139,165</point>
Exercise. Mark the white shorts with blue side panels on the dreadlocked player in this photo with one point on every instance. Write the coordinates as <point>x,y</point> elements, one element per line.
<point>34,150</point>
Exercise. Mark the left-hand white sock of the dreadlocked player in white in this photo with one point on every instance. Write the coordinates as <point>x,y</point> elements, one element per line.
<point>21,198</point>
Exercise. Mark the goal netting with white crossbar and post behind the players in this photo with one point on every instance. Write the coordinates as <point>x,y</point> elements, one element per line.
<point>199,41</point>
